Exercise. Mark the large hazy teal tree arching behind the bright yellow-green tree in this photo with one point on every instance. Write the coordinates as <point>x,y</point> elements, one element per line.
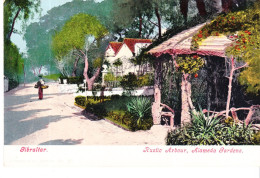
<point>38,35</point>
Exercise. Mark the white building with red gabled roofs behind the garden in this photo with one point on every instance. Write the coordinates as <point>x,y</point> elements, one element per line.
<point>124,51</point>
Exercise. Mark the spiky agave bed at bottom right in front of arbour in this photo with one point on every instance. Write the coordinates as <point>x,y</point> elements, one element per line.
<point>208,130</point>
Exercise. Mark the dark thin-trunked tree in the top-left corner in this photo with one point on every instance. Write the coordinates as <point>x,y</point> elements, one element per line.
<point>19,9</point>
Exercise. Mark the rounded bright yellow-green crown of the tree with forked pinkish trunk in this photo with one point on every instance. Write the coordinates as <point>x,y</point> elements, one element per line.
<point>73,33</point>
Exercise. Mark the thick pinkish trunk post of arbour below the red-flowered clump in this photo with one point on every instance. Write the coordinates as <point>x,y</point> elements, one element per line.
<point>186,103</point>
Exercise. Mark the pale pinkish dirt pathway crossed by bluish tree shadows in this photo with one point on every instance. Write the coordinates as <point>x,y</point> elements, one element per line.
<point>56,121</point>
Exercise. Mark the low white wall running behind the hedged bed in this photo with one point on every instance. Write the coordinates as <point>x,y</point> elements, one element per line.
<point>144,91</point>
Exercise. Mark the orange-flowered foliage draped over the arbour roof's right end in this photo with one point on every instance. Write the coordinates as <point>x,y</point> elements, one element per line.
<point>242,27</point>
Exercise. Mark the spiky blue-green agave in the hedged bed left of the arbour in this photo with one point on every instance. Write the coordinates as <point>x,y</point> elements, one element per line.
<point>139,107</point>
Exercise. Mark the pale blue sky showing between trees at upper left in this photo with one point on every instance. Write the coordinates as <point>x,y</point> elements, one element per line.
<point>45,6</point>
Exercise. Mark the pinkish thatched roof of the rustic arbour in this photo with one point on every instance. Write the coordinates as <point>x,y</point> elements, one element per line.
<point>181,43</point>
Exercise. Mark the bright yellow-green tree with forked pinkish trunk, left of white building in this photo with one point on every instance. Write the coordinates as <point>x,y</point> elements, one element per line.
<point>73,37</point>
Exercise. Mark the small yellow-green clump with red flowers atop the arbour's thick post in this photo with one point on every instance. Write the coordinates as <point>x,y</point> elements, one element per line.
<point>190,64</point>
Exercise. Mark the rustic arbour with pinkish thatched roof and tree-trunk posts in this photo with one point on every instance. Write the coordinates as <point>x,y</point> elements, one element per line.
<point>213,48</point>
